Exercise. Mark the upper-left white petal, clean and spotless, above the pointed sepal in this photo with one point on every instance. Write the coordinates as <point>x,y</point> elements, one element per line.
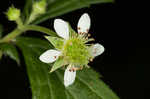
<point>61,28</point>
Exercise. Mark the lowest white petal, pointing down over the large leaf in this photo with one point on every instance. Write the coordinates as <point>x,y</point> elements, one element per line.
<point>69,77</point>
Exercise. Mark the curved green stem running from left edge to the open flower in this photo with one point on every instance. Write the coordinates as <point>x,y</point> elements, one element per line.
<point>19,31</point>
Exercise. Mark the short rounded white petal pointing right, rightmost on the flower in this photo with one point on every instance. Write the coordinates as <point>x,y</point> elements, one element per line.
<point>97,49</point>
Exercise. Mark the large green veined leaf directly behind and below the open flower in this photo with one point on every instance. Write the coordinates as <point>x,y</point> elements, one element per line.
<point>47,85</point>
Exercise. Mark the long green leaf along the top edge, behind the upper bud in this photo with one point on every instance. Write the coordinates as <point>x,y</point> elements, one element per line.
<point>60,7</point>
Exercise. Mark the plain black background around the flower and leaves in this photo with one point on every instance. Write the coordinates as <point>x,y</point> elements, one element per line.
<point>124,65</point>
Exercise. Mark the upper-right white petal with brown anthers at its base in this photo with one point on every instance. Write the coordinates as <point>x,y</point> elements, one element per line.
<point>84,23</point>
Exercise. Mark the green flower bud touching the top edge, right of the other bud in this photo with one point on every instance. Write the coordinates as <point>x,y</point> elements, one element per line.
<point>39,7</point>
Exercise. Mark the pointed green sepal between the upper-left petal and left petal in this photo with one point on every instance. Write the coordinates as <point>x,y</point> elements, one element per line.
<point>56,42</point>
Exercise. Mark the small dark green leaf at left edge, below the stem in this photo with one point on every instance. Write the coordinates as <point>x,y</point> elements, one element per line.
<point>11,51</point>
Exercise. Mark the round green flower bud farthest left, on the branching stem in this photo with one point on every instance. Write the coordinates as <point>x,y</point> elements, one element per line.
<point>13,13</point>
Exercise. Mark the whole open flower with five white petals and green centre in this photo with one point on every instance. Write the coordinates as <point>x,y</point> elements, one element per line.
<point>71,49</point>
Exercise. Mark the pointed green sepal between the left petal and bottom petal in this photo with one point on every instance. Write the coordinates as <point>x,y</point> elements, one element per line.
<point>59,63</point>
